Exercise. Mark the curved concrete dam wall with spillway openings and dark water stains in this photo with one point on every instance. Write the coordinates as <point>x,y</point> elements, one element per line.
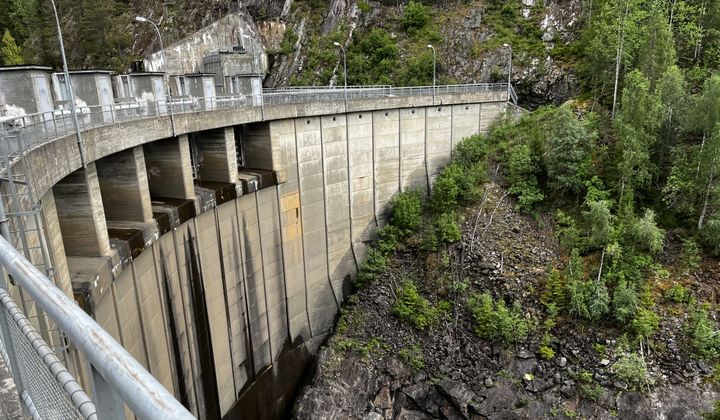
<point>217,245</point>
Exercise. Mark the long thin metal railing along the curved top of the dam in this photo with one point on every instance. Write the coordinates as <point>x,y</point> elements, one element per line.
<point>45,126</point>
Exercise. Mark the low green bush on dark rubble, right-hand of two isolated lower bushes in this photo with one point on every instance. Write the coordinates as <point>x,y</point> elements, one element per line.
<point>495,321</point>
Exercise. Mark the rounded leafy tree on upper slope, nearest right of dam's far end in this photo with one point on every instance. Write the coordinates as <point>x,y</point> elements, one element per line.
<point>568,156</point>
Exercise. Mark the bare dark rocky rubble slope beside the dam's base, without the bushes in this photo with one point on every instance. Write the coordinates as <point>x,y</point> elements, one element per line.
<point>379,367</point>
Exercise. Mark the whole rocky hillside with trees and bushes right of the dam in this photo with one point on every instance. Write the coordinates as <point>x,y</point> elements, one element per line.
<point>565,264</point>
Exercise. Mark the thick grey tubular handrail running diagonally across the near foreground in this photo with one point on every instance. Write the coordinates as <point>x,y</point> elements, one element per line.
<point>114,369</point>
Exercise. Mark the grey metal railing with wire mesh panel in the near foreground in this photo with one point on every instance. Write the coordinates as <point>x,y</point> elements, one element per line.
<point>46,387</point>
